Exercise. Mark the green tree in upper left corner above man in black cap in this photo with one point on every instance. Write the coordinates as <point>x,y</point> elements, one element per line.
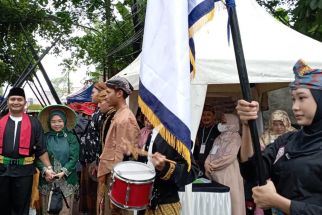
<point>19,23</point>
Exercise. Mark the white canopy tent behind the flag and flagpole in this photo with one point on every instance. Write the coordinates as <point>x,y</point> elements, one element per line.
<point>270,48</point>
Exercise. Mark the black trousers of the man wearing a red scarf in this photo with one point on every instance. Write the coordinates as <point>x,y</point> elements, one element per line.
<point>15,194</point>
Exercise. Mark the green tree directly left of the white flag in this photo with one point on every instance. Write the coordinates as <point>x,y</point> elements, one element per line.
<point>115,36</point>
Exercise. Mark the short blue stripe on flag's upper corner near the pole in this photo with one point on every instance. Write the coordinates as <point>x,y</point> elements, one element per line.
<point>200,10</point>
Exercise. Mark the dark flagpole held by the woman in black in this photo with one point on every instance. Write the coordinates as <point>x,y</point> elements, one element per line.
<point>244,84</point>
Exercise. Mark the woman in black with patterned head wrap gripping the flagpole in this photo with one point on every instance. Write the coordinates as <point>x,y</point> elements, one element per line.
<point>293,161</point>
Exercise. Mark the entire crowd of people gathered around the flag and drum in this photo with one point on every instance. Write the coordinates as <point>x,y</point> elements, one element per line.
<point>222,153</point>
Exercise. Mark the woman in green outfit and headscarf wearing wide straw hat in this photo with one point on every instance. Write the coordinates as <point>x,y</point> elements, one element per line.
<point>63,150</point>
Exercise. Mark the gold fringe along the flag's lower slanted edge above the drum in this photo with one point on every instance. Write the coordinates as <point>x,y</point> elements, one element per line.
<point>180,147</point>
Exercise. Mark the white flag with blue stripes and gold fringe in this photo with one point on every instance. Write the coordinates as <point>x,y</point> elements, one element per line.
<point>164,88</point>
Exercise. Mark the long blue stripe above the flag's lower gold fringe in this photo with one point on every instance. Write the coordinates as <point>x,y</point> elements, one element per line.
<point>167,118</point>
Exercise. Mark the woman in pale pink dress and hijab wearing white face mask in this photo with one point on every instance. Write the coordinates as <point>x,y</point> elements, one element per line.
<point>222,165</point>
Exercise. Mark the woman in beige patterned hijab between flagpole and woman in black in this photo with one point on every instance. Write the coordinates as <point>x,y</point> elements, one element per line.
<point>279,123</point>
